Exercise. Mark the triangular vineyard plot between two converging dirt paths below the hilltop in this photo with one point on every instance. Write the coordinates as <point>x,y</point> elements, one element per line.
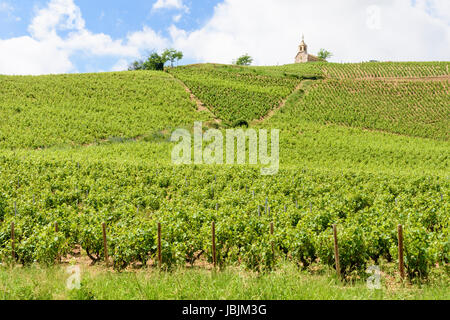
<point>237,94</point>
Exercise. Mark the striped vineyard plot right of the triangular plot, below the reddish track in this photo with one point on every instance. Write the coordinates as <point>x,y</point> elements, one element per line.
<point>411,108</point>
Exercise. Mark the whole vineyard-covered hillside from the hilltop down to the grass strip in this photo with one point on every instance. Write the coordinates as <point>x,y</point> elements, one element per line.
<point>80,151</point>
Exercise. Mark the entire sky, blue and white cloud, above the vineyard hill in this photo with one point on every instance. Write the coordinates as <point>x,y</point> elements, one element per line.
<point>78,36</point>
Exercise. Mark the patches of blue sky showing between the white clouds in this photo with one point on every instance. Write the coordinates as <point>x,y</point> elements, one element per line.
<point>115,18</point>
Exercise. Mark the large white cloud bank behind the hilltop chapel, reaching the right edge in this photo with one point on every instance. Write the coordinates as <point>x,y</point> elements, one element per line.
<point>271,30</point>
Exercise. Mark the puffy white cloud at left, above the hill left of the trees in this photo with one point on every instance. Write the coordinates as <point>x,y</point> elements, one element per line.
<point>46,51</point>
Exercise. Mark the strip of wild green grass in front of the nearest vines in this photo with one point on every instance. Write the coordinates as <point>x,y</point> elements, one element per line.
<point>288,283</point>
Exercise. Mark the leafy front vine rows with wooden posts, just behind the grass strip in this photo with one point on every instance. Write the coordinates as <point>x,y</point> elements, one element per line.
<point>302,205</point>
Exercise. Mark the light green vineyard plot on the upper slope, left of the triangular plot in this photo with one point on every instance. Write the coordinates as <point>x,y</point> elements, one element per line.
<point>38,112</point>
